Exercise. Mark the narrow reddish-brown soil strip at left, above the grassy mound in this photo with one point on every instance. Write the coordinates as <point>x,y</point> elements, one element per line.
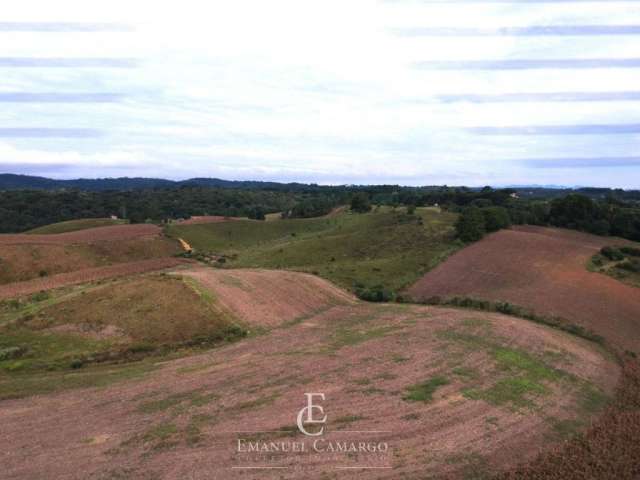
<point>86,275</point>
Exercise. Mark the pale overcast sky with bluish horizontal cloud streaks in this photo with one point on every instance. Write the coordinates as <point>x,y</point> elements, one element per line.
<point>330,91</point>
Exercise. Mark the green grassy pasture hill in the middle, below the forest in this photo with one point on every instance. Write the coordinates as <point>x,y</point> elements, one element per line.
<point>385,248</point>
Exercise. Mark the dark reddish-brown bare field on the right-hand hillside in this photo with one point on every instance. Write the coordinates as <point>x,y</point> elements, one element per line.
<point>543,269</point>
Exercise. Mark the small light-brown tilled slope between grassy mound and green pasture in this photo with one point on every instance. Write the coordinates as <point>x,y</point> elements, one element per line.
<point>269,298</point>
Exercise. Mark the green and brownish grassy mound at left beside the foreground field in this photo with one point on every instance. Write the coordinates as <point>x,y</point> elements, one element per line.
<point>113,323</point>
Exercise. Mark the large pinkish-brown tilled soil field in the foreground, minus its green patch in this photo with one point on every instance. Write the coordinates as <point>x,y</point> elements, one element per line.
<point>182,421</point>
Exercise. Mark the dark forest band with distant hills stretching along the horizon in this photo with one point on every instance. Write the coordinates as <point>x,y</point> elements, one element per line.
<point>594,210</point>
